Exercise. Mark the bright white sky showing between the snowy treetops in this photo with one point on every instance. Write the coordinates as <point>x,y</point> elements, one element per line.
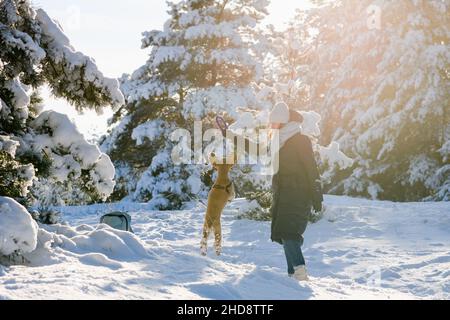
<point>110,32</point>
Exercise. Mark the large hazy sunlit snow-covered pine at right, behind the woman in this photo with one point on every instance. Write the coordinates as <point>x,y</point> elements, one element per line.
<point>383,92</point>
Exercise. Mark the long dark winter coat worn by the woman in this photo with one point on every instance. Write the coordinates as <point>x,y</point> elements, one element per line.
<point>296,188</point>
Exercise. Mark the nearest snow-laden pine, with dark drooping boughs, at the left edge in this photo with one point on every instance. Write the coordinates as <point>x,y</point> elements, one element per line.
<point>44,150</point>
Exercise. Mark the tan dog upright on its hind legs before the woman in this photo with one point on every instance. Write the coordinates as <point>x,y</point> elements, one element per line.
<point>221,192</point>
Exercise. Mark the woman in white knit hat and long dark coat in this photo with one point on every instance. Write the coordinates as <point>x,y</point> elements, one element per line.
<point>296,188</point>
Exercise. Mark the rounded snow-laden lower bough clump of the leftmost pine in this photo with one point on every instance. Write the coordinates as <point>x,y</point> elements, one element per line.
<point>78,167</point>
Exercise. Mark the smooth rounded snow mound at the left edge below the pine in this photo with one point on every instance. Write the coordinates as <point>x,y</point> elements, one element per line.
<point>18,230</point>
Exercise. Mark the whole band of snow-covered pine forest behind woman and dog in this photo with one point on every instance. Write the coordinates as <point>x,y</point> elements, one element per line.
<point>376,73</point>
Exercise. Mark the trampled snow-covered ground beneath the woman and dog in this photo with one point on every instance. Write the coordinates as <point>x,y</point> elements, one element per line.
<point>361,249</point>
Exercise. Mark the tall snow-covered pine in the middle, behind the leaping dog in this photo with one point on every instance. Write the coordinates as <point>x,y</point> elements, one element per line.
<point>202,64</point>
